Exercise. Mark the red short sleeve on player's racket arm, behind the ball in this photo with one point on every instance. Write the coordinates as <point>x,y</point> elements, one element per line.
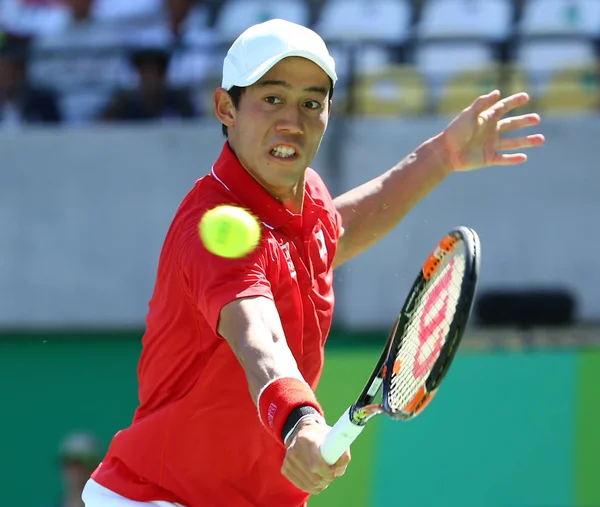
<point>212,281</point>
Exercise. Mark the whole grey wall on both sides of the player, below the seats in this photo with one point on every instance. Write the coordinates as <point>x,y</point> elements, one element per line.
<point>83,214</point>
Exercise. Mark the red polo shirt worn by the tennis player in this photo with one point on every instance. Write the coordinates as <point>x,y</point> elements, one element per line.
<point>196,438</point>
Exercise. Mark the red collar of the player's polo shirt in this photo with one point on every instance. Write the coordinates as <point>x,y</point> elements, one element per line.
<point>231,174</point>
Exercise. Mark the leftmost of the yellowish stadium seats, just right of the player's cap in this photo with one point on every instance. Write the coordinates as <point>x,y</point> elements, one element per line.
<point>396,91</point>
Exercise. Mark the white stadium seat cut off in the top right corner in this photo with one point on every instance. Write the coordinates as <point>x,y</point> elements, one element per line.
<point>560,17</point>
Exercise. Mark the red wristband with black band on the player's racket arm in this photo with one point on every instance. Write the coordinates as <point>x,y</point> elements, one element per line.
<point>283,402</point>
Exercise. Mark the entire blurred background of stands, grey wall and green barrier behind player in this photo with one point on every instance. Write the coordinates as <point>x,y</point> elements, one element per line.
<point>105,123</point>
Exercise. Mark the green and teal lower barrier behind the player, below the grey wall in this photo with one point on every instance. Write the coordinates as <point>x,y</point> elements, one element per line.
<point>506,429</point>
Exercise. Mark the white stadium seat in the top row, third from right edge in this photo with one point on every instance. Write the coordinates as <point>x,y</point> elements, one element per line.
<point>365,20</point>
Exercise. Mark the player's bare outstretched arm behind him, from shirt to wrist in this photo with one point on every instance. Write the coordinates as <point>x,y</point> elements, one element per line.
<point>370,211</point>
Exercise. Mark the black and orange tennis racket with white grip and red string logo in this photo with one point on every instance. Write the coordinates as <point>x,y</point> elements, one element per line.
<point>422,343</point>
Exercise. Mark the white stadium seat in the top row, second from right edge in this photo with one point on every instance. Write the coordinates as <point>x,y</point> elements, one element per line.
<point>483,19</point>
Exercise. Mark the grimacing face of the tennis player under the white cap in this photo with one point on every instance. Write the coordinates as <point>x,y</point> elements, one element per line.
<point>280,122</point>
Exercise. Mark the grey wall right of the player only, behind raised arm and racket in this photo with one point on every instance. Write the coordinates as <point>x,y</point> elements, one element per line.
<point>538,222</point>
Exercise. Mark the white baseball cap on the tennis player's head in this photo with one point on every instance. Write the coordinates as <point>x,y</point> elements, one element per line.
<point>263,45</point>
